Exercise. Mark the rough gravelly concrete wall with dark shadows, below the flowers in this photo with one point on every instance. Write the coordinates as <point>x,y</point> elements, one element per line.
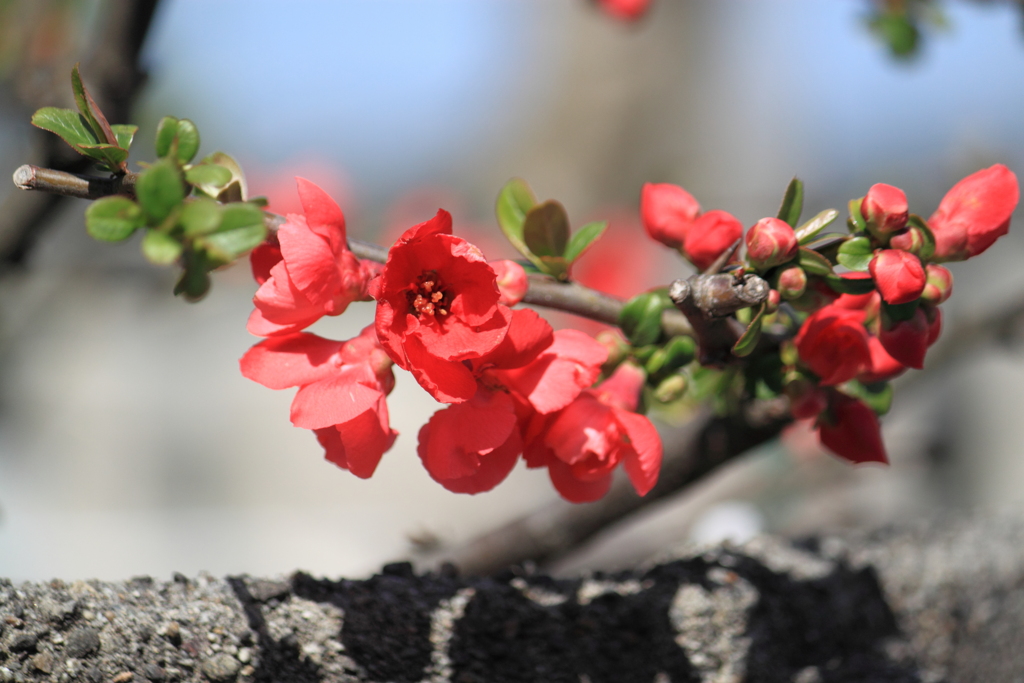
<point>943,603</point>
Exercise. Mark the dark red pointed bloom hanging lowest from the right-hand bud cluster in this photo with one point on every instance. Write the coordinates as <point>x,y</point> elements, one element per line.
<point>850,430</point>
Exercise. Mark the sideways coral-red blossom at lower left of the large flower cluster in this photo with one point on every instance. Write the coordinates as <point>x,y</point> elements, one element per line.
<point>343,387</point>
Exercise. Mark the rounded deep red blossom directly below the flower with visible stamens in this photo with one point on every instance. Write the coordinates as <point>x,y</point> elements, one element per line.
<point>472,447</point>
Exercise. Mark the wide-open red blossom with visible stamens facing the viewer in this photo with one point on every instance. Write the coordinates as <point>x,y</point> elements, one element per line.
<point>438,306</point>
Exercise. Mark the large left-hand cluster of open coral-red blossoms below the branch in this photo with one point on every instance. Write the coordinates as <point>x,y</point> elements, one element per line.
<point>514,386</point>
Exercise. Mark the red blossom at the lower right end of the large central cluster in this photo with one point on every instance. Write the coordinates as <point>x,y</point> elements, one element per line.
<point>584,443</point>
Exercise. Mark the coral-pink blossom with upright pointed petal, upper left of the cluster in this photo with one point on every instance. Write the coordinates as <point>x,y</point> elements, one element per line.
<point>317,275</point>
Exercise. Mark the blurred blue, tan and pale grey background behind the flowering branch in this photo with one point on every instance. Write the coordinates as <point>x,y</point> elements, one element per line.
<point>130,442</point>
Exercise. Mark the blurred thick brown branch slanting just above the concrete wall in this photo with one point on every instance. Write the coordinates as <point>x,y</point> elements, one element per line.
<point>560,528</point>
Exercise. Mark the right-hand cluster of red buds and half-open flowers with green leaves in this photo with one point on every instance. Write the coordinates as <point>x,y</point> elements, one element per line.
<point>851,331</point>
